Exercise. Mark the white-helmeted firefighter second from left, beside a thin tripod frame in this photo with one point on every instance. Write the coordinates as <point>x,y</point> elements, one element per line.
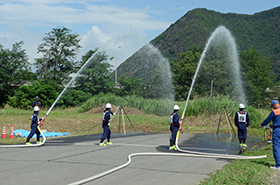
<point>106,123</point>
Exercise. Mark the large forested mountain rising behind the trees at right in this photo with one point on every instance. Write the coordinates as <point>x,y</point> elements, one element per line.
<point>260,31</point>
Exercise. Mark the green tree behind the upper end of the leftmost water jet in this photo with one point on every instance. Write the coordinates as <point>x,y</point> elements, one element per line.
<point>95,78</point>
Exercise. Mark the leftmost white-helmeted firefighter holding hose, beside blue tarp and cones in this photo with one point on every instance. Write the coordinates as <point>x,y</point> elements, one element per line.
<point>34,124</point>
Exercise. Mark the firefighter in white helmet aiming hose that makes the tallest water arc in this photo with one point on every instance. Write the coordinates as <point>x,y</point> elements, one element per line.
<point>174,127</point>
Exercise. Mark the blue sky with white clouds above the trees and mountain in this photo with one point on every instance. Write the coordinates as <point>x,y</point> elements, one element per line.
<point>118,27</point>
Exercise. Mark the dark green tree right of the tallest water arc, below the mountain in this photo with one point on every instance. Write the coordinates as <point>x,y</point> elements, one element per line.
<point>258,77</point>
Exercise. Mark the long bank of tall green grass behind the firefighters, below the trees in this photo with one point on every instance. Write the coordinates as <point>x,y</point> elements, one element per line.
<point>204,106</point>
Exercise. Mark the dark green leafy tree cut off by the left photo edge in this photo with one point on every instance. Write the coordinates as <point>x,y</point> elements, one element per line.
<point>15,70</point>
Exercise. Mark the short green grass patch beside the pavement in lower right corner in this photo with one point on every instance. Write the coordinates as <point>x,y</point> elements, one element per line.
<point>245,171</point>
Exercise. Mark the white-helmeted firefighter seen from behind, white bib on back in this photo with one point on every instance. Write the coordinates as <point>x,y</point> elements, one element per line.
<point>242,121</point>
